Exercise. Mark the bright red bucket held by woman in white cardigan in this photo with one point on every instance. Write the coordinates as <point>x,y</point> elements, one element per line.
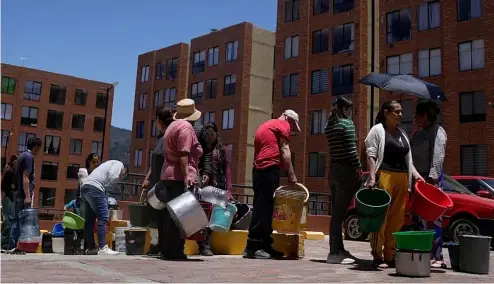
<point>429,202</point>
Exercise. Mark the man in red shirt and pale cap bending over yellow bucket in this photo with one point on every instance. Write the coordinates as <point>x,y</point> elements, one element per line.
<point>272,152</point>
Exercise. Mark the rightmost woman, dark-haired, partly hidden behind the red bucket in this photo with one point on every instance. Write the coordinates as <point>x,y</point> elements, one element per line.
<point>429,150</point>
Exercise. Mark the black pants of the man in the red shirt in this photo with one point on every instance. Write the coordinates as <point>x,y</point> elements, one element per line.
<point>265,182</point>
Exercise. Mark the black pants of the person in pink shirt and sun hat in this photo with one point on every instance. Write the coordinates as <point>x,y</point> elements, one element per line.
<point>170,239</point>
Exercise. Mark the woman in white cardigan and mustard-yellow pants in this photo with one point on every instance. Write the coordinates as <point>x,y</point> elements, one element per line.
<point>389,156</point>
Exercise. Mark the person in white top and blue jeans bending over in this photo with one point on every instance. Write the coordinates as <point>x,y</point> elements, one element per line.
<point>93,193</point>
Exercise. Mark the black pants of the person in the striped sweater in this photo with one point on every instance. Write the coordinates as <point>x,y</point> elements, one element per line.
<point>343,184</point>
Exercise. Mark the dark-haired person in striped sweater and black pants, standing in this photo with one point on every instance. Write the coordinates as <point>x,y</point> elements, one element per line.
<point>345,175</point>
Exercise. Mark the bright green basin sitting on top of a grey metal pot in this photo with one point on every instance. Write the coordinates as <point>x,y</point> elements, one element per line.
<point>414,240</point>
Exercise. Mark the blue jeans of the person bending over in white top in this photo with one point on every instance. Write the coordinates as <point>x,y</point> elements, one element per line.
<point>95,206</point>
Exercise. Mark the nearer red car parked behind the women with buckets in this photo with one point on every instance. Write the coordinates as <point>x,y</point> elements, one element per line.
<point>470,214</point>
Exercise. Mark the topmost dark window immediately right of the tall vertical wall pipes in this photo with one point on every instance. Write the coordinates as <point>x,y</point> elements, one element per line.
<point>399,26</point>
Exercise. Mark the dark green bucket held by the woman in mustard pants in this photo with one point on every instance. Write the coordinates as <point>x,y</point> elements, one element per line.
<point>372,205</point>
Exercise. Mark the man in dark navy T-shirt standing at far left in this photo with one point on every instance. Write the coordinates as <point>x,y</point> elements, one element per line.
<point>25,184</point>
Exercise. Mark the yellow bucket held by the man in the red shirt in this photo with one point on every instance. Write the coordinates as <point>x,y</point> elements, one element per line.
<point>289,202</point>
